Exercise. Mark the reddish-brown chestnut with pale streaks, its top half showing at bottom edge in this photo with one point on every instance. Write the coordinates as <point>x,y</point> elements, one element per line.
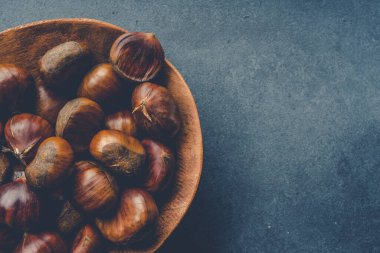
<point>46,242</point>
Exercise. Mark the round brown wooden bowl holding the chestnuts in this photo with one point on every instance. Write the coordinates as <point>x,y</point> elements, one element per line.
<point>24,46</point>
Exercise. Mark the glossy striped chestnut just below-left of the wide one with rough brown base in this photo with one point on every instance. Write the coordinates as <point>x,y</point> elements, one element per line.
<point>94,189</point>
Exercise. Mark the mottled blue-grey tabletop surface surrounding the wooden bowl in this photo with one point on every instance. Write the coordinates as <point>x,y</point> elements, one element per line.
<point>288,93</point>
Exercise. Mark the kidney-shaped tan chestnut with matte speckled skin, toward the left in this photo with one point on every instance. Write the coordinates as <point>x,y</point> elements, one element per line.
<point>51,165</point>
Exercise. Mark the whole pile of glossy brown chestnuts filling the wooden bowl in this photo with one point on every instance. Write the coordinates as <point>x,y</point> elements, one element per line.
<point>83,163</point>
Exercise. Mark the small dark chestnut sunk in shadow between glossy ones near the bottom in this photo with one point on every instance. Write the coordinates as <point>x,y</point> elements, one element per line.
<point>69,218</point>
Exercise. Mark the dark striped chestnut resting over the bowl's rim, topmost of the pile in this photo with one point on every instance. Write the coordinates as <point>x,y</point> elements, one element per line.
<point>137,56</point>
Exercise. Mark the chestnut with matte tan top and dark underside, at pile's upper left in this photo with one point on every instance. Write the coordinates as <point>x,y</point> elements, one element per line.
<point>64,65</point>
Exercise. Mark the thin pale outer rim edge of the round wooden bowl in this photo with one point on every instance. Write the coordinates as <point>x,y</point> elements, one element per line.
<point>196,119</point>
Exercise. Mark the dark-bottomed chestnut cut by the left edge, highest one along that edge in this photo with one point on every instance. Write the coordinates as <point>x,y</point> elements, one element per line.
<point>15,84</point>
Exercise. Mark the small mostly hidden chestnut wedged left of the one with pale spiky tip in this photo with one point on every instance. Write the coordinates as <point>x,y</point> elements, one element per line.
<point>122,121</point>
